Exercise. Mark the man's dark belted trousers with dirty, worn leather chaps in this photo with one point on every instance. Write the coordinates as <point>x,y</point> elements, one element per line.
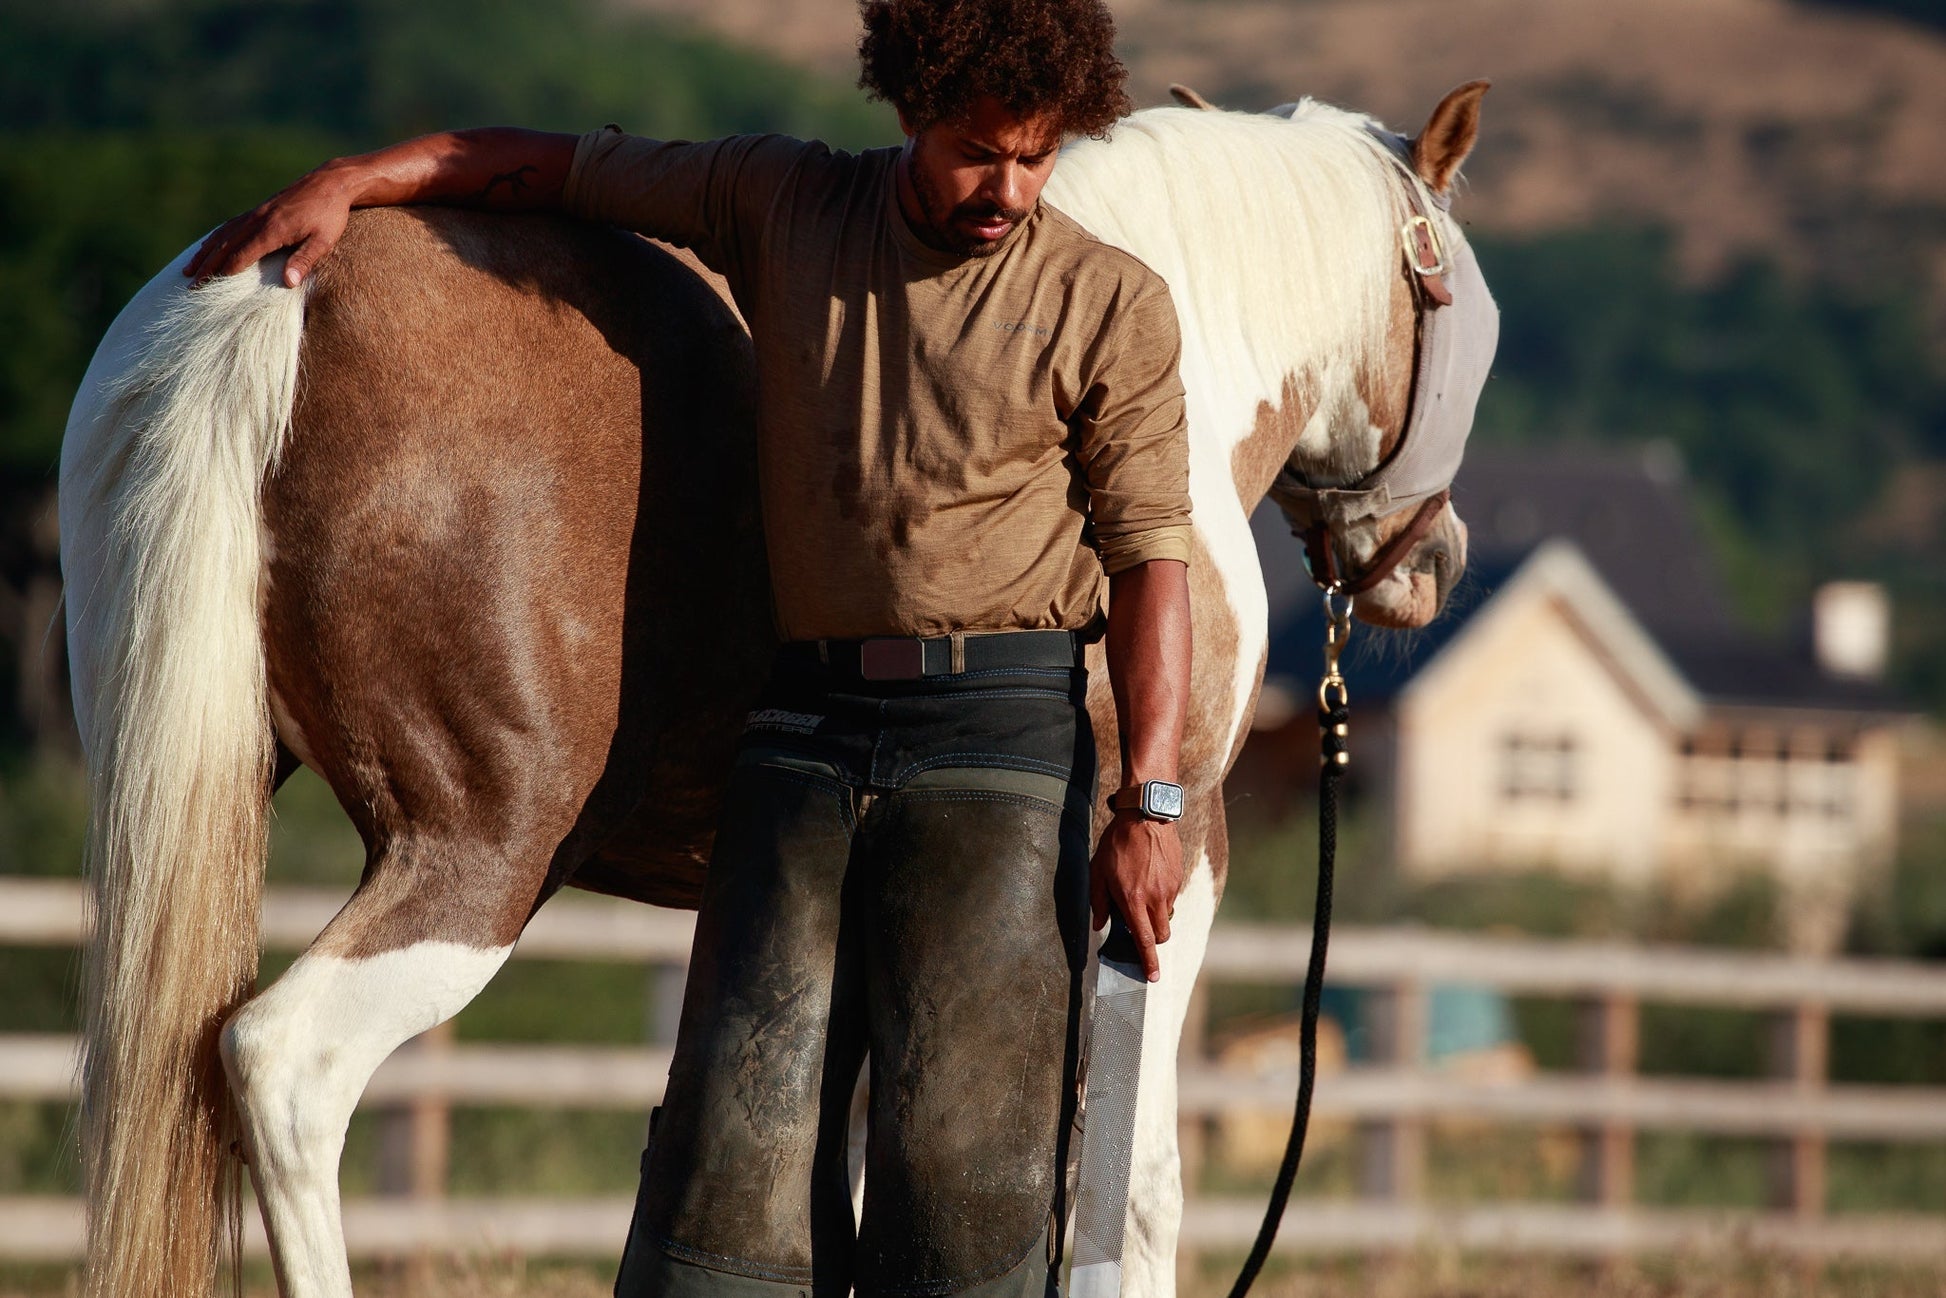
<point>900,873</point>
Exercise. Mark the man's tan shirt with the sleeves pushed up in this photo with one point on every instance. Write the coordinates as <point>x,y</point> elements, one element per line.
<point>945,443</point>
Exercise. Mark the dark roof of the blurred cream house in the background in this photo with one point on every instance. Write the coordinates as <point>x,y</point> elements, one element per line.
<point>1636,546</point>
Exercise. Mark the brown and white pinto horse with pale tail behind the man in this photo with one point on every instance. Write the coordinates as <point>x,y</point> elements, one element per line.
<point>468,524</point>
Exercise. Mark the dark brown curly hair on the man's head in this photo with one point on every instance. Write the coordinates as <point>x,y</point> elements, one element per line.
<point>931,59</point>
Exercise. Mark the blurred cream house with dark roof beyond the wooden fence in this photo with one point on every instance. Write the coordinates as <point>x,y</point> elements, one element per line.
<point>1589,703</point>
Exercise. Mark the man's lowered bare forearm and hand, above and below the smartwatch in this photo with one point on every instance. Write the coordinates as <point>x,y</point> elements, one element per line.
<point>1139,865</point>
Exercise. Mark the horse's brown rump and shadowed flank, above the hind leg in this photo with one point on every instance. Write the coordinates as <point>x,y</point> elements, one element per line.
<point>517,587</point>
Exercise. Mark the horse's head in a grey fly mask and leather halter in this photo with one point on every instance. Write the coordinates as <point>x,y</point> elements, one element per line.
<point>1367,482</point>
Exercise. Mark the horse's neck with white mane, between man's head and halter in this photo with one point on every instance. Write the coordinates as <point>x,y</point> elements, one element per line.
<point>1278,242</point>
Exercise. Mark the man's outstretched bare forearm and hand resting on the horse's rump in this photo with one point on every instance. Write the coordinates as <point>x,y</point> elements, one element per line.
<point>491,168</point>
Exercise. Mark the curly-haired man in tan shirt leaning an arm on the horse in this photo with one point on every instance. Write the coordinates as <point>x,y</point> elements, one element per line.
<point>970,423</point>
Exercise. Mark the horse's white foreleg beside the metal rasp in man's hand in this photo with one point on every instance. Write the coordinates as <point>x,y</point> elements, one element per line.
<point>1155,1167</point>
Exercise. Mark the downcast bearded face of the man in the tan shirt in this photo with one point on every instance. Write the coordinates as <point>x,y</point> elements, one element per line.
<point>974,180</point>
